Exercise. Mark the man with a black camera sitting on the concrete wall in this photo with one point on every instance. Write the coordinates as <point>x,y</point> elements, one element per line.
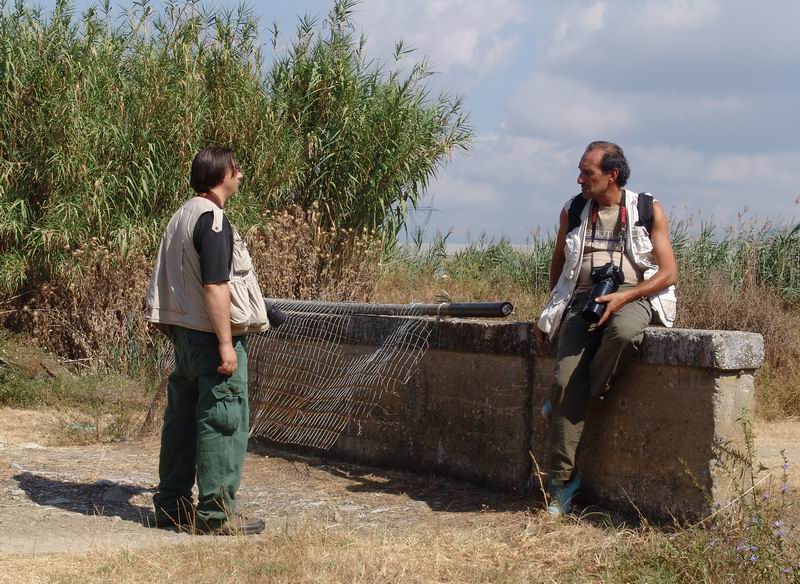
<point>612,232</point>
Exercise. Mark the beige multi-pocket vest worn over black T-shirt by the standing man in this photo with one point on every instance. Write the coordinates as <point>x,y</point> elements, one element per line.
<point>175,294</point>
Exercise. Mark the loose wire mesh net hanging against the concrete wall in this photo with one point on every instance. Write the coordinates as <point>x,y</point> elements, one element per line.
<point>308,380</point>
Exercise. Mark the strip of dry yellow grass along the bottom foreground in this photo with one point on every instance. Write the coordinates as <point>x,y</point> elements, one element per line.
<point>519,548</point>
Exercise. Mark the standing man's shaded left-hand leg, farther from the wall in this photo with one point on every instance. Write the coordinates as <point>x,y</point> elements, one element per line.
<point>176,466</point>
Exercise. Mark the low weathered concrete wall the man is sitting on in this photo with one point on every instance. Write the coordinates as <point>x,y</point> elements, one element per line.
<point>471,411</point>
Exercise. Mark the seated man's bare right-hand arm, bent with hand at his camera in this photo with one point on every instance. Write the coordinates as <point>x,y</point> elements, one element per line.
<point>666,276</point>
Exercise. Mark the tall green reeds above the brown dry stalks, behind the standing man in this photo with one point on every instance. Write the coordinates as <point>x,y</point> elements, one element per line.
<point>100,116</point>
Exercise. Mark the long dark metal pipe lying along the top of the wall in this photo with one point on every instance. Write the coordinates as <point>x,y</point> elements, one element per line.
<point>455,309</point>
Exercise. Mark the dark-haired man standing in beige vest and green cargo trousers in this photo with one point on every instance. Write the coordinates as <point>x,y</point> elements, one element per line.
<point>205,296</point>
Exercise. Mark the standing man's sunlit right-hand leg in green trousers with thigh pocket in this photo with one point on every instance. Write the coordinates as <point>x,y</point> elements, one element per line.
<point>222,433</point>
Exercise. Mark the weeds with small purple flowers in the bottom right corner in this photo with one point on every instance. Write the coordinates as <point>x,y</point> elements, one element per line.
<point>749,537</point>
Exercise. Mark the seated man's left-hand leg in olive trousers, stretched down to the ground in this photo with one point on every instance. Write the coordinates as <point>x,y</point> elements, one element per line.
<point>577,343</point>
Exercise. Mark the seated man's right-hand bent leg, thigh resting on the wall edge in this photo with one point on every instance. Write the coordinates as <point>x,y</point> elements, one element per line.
<point>621,337</point>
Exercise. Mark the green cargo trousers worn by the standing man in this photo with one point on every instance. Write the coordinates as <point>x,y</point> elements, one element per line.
<point>206,426</point>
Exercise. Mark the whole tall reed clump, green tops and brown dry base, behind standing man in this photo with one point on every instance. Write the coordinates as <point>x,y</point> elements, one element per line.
<point>100,118</point>
